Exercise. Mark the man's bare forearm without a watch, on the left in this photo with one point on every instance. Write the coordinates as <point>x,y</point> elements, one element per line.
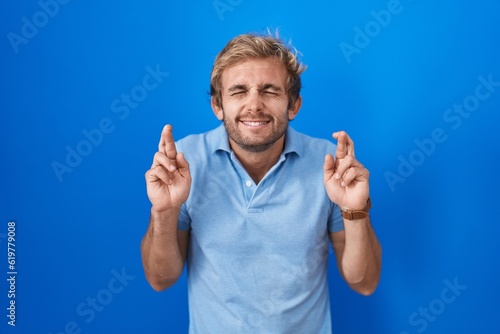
<point>162,258</point>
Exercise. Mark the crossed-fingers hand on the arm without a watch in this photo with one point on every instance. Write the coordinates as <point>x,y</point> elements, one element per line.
<point>169,180</point>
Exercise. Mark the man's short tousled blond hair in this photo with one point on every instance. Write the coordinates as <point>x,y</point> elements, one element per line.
<point>251,46</point>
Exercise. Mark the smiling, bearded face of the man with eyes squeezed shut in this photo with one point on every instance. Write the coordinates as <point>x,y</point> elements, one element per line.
<point>255,104</point>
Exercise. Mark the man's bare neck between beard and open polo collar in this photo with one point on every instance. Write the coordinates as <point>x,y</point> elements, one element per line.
<point>257,164</point>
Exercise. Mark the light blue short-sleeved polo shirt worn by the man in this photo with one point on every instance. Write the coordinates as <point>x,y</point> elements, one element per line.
<point>257,257</point>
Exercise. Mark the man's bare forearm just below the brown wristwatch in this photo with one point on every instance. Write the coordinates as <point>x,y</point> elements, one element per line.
<point>361,260</point>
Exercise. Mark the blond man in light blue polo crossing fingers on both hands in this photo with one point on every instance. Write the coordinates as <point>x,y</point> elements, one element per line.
<point>252,211</point>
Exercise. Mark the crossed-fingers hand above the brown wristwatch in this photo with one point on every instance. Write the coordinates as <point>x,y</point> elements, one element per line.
<point>345,178</point>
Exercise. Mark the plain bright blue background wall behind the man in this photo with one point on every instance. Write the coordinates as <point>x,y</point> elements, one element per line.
<point>76,232</point>
